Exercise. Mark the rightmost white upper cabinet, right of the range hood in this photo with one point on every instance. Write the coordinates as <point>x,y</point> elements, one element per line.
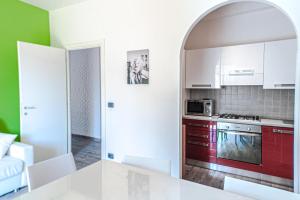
<point>280,64</point>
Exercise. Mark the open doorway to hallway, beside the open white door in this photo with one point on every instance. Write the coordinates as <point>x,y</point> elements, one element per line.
<point>85,105</point>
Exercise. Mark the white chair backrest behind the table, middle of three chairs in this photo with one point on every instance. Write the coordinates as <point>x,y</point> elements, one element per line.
<point>163,166</point>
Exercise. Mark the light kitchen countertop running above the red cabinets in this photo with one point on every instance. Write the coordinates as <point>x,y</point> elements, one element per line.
<point>262,122</point>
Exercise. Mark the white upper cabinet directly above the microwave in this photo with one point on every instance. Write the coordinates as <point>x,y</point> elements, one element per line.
<point>203,68</point>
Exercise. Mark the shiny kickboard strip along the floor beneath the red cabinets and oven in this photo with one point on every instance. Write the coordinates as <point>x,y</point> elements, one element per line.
<point>241,172</point>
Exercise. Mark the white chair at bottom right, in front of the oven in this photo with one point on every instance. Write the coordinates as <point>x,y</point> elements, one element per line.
<point>257,191</point>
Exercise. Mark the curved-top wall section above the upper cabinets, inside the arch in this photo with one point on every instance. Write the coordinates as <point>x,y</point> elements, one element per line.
<point>228,26</point>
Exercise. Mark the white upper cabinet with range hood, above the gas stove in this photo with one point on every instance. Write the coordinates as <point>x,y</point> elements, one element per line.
<point>242,64</point>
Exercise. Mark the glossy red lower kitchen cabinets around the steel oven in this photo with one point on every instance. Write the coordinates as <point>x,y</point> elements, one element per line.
<point>277,148</point>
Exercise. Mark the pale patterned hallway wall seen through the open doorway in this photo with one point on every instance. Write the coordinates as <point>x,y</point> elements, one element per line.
<point>85,92</point>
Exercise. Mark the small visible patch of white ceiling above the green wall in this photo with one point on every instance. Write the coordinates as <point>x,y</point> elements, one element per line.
<point>52,4</point>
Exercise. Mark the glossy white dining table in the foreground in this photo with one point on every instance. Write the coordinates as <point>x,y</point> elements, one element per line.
<point>108,180</point>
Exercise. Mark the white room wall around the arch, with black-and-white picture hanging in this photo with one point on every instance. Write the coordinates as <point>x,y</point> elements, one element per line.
<point>146,118</point>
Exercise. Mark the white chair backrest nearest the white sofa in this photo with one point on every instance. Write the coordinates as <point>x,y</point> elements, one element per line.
<point>47,171</point>
